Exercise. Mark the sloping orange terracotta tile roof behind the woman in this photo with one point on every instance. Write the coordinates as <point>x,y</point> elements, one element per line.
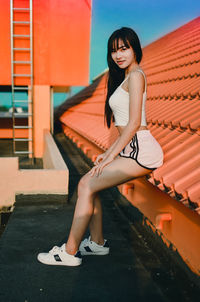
<point>172,66</point>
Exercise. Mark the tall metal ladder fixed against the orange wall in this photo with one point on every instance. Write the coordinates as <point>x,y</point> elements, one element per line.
<point>26,80</point>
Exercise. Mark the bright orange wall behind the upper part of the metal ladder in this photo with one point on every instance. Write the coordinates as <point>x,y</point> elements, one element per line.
<point>61,39</point>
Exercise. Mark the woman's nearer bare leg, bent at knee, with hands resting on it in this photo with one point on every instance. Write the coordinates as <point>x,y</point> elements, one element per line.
<point>118,171</point>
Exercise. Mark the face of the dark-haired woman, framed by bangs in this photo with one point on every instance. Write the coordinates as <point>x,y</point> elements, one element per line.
<point>124,57</point>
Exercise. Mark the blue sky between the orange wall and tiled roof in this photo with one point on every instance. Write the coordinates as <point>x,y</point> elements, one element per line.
<point>151,19</point>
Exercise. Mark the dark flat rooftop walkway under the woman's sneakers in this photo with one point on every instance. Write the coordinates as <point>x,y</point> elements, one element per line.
<point>37,225</point>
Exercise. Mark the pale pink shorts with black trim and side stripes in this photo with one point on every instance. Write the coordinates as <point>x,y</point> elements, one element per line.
<point>144,149</point>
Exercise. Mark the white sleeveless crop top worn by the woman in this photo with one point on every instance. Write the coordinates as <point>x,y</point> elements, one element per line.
<point>119,103</point>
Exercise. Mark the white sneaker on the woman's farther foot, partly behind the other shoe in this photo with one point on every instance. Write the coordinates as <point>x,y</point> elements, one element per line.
<point>88,247</point>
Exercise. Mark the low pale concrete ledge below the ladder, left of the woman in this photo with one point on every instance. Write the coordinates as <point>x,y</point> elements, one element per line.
<point>51,180</point>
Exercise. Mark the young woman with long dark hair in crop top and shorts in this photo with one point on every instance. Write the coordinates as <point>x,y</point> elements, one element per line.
<point>135,152</point>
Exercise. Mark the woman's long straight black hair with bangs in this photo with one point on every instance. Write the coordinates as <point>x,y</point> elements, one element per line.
<point>116,75</point>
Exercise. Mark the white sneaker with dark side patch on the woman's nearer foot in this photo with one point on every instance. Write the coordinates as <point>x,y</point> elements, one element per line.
<point>59,256</point>
